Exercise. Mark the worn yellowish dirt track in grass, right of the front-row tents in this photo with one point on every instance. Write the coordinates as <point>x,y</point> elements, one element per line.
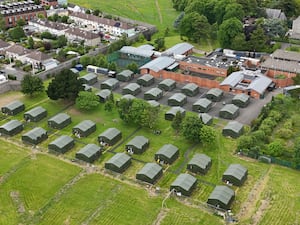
<point>248,209</point>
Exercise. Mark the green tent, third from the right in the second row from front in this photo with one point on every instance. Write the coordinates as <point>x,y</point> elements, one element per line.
<point>167,154</point>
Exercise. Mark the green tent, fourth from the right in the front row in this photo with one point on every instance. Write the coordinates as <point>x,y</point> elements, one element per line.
<point>118,163</point>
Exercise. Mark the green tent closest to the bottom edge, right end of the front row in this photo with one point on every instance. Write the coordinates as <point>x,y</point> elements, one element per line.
<point>221,197</point>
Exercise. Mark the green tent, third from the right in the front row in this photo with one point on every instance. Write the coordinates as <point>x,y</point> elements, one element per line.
<point>150,173</point>
